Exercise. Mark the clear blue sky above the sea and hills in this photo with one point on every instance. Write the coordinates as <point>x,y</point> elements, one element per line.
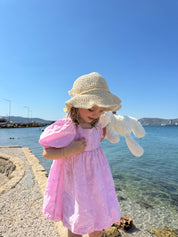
<point>46,45</point>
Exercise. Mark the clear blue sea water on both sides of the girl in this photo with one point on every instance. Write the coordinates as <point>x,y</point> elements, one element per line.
<point>147,186</point>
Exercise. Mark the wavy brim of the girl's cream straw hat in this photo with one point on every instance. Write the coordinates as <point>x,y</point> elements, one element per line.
<point>107,100</point>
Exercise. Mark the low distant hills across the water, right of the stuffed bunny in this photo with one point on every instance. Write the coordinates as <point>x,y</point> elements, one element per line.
<point>158,122</point>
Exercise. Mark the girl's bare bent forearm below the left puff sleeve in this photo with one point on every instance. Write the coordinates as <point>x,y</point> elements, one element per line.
<point>76,146</point>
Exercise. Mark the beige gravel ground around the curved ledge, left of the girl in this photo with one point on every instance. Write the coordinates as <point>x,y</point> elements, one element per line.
<point>20,208</point>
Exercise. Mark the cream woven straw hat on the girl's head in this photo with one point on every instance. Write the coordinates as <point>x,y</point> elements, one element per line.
<point>92,89</point>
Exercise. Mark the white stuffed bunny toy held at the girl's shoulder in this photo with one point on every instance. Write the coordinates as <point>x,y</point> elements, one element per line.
<point>123,125</point>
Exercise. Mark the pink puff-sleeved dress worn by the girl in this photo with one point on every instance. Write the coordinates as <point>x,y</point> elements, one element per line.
<point>80,190</point>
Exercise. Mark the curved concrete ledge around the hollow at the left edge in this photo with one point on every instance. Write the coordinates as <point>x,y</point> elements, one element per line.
<point>16,175</point>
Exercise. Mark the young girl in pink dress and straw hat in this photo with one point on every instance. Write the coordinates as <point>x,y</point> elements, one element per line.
<point>80,190</point>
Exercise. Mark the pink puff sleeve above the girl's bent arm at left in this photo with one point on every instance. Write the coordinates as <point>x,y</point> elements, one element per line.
<point>59,134</point>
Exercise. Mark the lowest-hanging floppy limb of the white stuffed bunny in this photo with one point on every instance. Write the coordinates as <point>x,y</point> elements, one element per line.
<point>134,147</point>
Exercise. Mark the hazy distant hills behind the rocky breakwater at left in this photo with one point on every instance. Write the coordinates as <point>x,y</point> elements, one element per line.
<point>18,119</point>
